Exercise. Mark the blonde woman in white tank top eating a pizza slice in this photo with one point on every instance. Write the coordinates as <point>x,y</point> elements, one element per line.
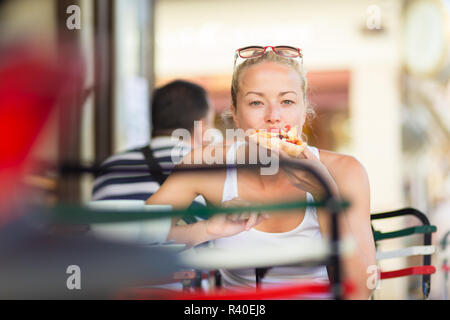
<point>269,92</point>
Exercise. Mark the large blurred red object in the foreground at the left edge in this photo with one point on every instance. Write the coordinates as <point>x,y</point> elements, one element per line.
<point>33,82</point>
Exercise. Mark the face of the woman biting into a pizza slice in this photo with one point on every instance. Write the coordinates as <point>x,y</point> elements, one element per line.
<point>270,96</point>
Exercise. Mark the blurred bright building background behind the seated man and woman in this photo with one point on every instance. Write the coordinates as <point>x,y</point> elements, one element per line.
<point>378,72</point>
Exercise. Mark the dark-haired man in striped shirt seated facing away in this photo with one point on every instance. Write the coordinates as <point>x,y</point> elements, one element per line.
<point>174,106</point>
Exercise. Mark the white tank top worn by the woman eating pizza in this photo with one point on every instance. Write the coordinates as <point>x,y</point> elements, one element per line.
<point>308,229</point>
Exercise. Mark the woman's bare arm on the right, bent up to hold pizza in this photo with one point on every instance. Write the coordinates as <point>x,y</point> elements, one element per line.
<point>348,180</point>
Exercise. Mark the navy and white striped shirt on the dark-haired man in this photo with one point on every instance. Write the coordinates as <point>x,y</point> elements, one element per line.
<point>118,183</point>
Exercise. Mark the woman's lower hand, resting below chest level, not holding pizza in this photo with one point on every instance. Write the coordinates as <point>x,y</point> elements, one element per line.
<point>223,225</point>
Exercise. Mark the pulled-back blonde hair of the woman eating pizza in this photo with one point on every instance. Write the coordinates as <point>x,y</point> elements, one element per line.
<point>268,56</point>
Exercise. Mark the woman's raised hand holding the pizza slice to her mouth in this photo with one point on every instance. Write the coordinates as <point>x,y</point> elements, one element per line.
<point>305,180</point>
